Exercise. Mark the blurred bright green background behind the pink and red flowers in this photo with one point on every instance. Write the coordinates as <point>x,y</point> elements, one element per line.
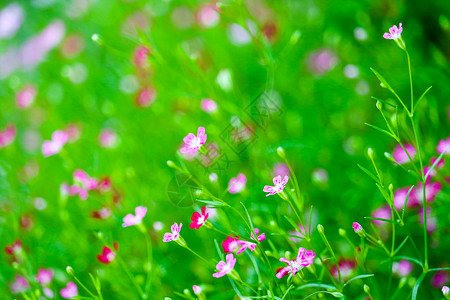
<point>320,86</point>
